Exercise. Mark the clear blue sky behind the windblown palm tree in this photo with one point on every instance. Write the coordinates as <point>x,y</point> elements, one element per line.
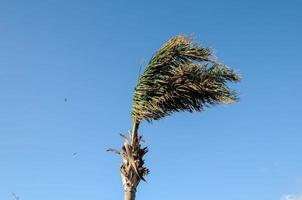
<point>89,52</point>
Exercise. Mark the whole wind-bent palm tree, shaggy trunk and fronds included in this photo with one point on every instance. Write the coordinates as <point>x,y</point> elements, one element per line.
<point>181,76</point>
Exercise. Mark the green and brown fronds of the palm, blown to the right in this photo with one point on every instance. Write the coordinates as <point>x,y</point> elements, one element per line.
<point>181,76</point>
